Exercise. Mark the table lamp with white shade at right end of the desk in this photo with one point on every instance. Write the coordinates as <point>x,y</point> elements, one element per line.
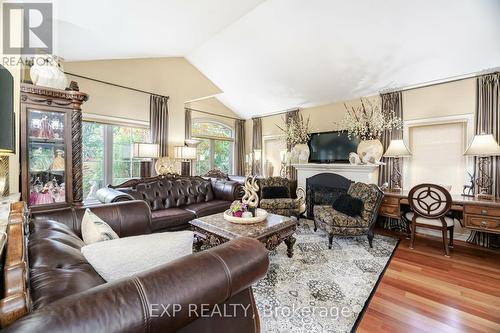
<point>483,146</point>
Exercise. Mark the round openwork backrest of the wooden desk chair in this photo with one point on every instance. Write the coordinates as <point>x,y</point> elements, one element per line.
<point>430,201</point>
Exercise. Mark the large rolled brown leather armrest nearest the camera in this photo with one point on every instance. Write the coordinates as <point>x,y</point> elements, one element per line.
<point>137,304</point>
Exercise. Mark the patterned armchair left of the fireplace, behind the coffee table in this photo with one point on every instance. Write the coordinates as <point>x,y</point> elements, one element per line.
<point>284,205</point>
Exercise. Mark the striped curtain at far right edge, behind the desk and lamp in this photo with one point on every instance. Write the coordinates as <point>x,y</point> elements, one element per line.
<point>488,122</point>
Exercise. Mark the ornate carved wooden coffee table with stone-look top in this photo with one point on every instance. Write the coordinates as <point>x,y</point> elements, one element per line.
<point>213,230</point>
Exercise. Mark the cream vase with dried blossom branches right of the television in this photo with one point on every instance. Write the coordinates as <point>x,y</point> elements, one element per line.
<point>367,122</point>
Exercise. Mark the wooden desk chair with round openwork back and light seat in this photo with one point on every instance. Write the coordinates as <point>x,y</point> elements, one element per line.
<point>429,204</point>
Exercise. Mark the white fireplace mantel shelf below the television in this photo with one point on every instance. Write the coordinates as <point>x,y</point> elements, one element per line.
<point>366,173</point>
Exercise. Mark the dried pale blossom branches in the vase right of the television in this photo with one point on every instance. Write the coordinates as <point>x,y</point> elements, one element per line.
<point>368,122</point>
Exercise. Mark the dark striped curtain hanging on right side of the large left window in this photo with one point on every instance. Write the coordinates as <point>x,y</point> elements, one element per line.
<point>158,120</point>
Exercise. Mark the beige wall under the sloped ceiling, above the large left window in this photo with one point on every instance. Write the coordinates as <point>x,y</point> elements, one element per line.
<point>174,77</point>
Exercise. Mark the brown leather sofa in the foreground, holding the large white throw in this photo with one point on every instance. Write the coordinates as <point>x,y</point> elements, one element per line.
<point>69,296</point>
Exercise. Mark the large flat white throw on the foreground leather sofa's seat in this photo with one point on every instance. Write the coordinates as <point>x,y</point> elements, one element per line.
<point>124,257</point>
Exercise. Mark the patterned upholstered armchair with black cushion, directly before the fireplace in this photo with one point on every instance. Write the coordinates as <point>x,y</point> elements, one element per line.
<point>337,223</point>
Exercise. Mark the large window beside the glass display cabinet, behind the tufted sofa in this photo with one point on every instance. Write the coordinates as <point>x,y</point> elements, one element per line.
<point>107,155</point>
